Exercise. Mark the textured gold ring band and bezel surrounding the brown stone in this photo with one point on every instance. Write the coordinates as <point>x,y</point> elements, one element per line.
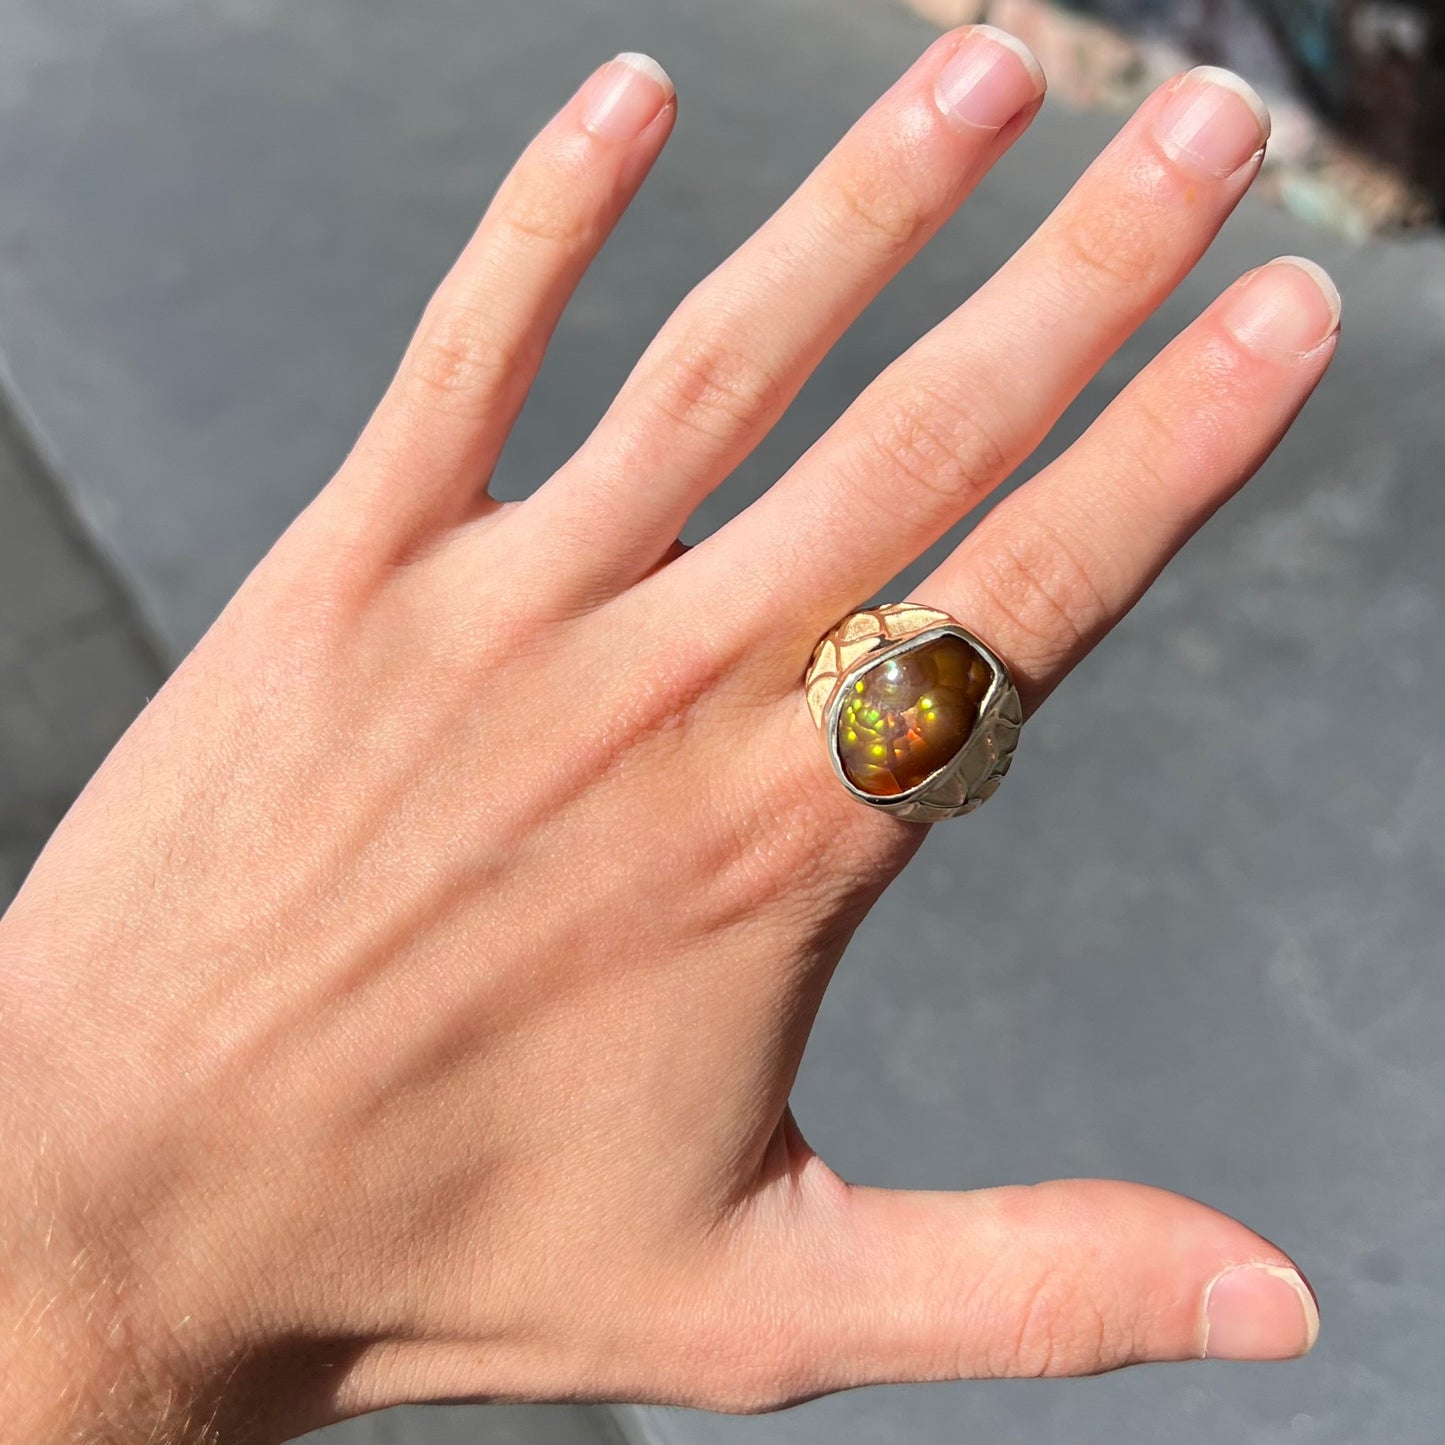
<point>973,774</point>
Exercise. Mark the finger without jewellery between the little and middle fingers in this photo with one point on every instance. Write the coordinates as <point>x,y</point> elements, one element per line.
<point>738,350</point>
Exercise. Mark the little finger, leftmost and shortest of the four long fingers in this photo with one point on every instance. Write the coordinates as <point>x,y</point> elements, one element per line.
<point>436,437</point>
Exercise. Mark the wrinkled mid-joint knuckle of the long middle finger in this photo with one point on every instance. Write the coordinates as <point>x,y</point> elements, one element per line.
<point>939,447</point>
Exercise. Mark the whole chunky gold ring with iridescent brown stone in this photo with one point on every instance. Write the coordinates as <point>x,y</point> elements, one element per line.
<point>918,715</point>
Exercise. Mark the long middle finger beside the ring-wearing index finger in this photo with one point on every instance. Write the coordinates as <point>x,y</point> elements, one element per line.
<point>953,417</point>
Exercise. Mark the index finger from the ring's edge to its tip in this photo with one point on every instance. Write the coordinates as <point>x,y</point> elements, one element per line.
<point>1063,558</point>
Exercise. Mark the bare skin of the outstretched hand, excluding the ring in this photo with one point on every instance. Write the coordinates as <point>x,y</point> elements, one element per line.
<point>408,1009</point>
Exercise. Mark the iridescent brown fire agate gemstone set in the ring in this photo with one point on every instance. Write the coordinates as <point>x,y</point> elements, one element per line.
<point>910,715</point>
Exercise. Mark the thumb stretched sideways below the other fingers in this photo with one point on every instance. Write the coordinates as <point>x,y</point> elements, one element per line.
<point>1069,1278</point>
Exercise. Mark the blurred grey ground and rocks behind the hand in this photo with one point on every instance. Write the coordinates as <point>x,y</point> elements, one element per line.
<point>1199,937</point>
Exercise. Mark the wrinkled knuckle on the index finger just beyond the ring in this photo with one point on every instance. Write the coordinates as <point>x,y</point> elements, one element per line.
<point>1043,592</point>
